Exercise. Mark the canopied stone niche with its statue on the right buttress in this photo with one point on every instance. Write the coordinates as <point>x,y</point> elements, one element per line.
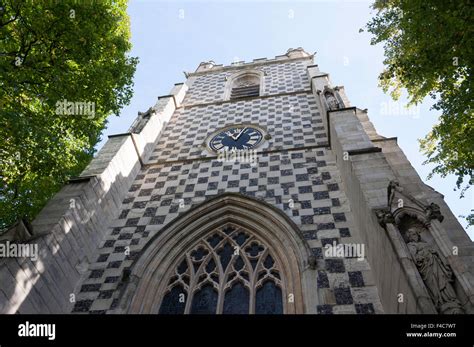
<point>433,271</point>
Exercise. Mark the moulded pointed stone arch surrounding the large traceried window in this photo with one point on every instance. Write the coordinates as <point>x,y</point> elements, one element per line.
<point>148,280</point>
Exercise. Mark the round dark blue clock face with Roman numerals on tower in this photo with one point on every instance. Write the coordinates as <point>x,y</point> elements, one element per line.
<point>236,138</point>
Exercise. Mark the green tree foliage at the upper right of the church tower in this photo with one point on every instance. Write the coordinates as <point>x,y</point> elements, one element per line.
<point>429,51</point>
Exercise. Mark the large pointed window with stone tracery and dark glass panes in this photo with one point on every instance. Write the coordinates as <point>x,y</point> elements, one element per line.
<point>228,271</point>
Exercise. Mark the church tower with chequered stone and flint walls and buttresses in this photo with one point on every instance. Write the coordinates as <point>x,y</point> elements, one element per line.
<point>319,214</point>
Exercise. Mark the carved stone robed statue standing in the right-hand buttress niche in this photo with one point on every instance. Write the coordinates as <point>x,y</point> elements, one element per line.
<point>436,274</point>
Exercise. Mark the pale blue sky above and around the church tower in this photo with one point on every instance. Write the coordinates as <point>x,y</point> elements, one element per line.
<point>170,37</point>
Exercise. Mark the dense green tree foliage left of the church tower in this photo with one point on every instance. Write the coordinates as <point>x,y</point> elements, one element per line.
<point>50,52</point>
